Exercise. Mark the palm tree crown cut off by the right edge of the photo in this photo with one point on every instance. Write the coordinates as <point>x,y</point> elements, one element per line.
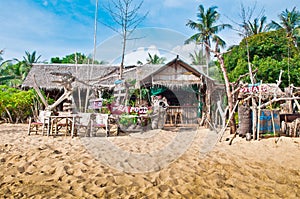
<point>290,21</point>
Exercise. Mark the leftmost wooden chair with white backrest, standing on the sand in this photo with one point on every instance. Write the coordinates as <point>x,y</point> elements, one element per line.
<point>41,123</point>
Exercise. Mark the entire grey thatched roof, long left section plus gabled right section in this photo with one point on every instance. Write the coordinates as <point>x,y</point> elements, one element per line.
<point>174,73</point>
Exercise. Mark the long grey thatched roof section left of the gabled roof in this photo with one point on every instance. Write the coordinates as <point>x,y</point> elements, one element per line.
<point>44,77</point>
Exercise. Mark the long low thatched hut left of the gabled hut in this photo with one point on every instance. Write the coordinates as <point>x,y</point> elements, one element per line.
<point>48,78</point>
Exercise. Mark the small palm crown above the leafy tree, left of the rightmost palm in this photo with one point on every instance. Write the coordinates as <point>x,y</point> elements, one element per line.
<point>255,27</point>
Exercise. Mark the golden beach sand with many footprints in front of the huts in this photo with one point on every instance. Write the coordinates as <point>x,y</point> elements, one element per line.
<point>38,166</point>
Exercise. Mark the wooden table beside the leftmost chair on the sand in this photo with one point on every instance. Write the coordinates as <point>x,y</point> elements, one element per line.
<point>56,124</point>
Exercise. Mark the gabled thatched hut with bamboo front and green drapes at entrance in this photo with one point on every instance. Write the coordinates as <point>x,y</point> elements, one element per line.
<point>191,95</point>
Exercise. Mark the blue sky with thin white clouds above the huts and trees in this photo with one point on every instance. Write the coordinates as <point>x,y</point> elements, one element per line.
<point>61,27</point>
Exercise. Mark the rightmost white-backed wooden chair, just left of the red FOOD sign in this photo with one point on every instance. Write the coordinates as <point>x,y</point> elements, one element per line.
<point>100,122</point>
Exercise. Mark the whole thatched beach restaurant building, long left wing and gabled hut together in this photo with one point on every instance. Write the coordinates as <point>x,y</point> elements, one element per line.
<point>190,93</point>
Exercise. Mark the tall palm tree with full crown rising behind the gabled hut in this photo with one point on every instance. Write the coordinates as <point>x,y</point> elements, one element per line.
<point>207,29</point>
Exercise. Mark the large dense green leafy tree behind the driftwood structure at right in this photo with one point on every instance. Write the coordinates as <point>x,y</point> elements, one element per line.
<point>268,52</point>
